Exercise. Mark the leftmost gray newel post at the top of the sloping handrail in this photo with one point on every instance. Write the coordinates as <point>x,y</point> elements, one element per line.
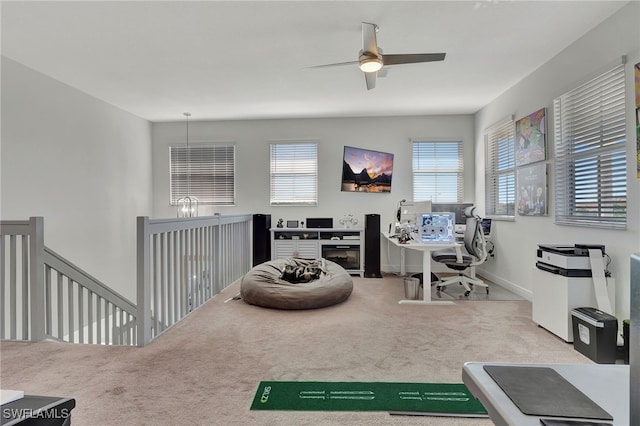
<point>36,283</point>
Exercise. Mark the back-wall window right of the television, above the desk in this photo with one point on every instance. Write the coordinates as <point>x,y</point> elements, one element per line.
<point>437,171</point>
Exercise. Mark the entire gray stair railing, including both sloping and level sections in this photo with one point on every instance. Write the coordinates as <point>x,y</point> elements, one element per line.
<point>182,263</point>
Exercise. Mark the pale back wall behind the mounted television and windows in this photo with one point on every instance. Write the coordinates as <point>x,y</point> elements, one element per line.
<point>252,138</point>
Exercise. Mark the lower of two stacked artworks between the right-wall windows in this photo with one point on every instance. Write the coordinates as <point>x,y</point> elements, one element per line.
<point>532,190</point>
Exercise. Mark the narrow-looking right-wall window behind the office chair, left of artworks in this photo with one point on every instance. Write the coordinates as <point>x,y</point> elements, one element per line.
<point>500,179</point>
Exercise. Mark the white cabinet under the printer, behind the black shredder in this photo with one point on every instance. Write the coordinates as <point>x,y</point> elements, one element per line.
<point>555,296</point>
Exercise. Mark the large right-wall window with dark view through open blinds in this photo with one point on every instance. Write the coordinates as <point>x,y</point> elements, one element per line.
<point>591,166</point>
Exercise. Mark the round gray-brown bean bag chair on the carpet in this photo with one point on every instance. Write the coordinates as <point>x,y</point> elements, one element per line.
<point>264,286</point>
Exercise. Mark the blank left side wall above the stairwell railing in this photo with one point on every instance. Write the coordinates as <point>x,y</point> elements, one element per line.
<point>83,165</point>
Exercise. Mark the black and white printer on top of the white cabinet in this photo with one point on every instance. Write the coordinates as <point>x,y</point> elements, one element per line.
<point>568,261</point>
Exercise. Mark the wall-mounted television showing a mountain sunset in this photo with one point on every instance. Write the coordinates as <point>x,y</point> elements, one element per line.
<point>365,170</point>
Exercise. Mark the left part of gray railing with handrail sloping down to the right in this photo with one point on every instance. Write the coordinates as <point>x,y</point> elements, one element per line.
<point>43,295</point>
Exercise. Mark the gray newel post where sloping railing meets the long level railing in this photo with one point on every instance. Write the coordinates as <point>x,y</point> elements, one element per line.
<point>143,282</point>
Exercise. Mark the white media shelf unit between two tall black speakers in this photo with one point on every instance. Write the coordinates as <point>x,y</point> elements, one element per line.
<point>340,245</point>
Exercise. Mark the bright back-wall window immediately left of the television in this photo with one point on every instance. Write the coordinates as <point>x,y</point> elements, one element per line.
<point>294,174</point>
